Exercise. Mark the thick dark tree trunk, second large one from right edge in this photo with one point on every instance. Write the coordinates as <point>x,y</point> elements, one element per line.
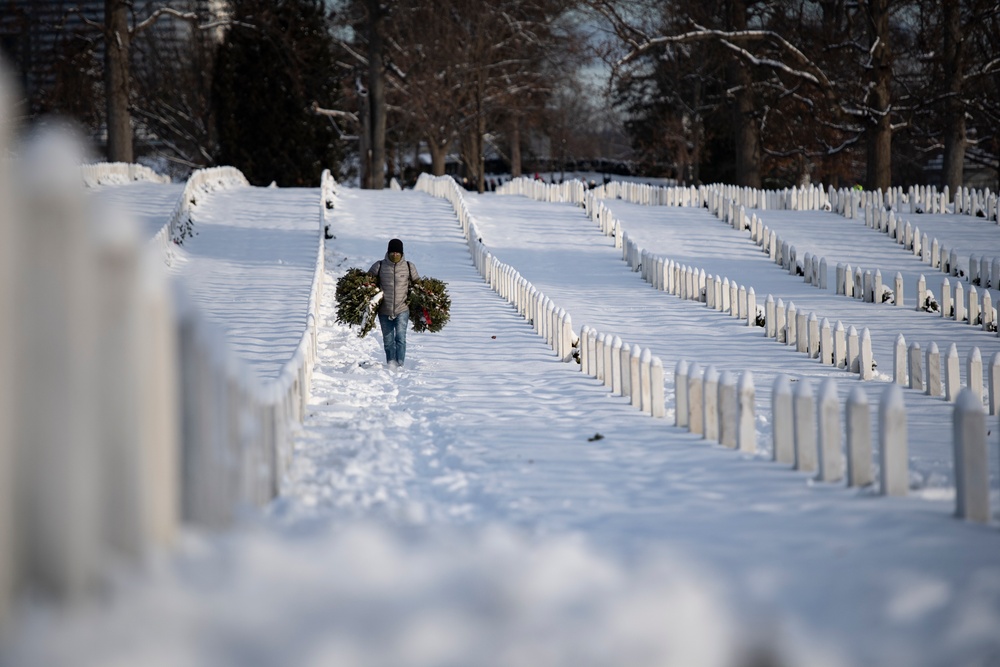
<point>879,131</point>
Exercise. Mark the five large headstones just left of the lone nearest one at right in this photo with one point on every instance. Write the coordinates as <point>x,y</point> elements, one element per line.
<point>807,434</point>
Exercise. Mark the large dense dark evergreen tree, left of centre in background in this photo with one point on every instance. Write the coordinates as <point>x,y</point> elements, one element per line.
<point>275,62</point>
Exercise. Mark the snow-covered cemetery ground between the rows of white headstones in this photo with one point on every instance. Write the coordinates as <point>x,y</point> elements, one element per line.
<point>491,505</point>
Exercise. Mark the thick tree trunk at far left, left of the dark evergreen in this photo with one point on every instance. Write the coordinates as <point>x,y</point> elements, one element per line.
<point>116,81</point>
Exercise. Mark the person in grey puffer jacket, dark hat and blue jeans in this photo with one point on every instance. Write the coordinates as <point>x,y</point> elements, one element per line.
<point>394,276</point>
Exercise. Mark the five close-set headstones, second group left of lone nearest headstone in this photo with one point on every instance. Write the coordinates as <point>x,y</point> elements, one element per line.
<point>718,407</point>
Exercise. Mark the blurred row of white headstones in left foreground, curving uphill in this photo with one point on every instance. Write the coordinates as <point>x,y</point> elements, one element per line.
<point>160,423</point>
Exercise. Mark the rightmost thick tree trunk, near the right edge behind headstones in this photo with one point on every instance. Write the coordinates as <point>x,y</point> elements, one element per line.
<point>954,72</point>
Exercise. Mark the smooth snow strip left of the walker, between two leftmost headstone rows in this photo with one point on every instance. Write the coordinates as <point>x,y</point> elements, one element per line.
<point>250,267</point>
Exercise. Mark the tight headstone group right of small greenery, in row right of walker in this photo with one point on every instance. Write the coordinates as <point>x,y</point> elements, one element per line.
<point>626,370</point>
